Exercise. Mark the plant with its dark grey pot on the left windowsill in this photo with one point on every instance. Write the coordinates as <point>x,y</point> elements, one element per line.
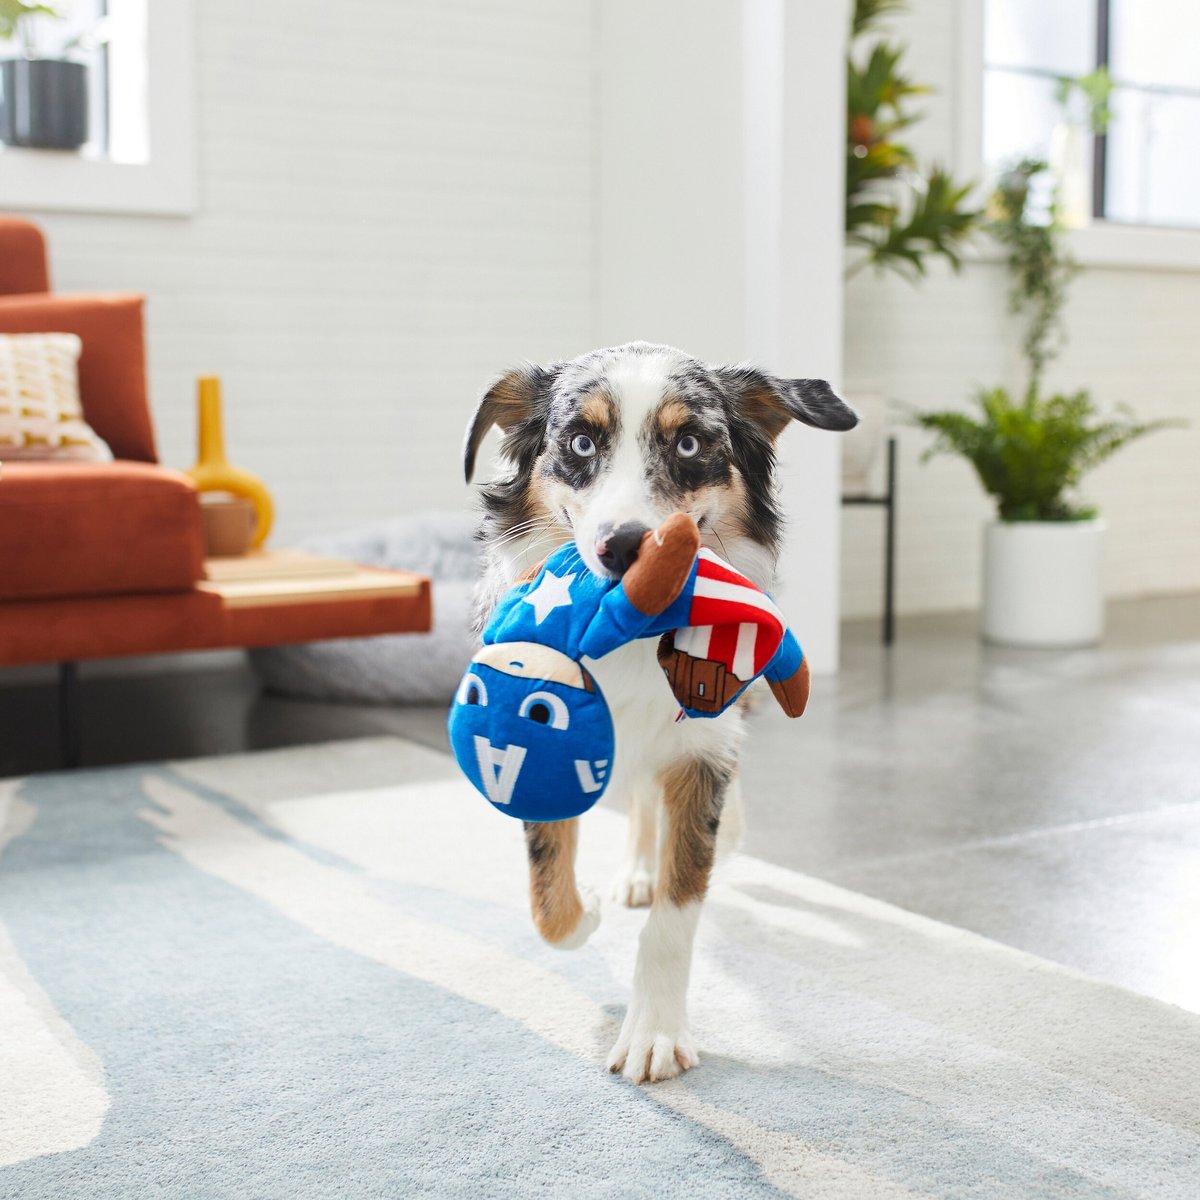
<point>44,101</point>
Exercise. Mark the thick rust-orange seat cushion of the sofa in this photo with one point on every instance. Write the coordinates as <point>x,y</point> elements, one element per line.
<point>92,530</point>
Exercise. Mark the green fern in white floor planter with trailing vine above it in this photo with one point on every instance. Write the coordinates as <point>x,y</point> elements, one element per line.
<point>1042,556</point>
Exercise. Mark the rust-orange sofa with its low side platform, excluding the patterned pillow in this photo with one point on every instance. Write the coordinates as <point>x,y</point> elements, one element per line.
<point>104,560</point>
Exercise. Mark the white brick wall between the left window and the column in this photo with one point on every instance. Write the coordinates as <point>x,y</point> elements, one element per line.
<point>397,201</point>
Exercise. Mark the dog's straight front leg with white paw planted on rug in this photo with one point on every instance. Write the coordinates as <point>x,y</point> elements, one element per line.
<point>656,1042</point>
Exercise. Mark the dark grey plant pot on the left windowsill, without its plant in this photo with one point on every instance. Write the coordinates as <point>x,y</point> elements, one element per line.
<point>44,104</point>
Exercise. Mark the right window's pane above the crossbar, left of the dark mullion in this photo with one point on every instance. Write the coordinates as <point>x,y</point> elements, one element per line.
<point>1053,37</point>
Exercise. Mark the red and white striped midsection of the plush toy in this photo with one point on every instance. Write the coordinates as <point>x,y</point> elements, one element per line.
<point>731,621</point>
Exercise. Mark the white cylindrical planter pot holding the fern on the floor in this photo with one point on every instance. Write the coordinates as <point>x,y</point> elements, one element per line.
<point>1042,583</point>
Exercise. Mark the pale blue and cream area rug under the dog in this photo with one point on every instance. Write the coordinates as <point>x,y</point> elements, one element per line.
<point>311,974</point>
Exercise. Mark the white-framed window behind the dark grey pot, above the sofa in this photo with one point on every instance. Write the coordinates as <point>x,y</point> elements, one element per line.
<point>140,155</point>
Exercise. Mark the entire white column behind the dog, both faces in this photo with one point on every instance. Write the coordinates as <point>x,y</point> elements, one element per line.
<point>719,223</point>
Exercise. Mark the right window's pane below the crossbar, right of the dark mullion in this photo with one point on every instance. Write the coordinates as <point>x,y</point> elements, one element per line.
<point>1154,169</point>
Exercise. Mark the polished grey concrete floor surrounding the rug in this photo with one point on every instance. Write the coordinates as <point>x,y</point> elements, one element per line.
<point>1047,800</point>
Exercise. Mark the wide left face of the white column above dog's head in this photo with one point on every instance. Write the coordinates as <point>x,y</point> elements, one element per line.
<point>670,254</point>
